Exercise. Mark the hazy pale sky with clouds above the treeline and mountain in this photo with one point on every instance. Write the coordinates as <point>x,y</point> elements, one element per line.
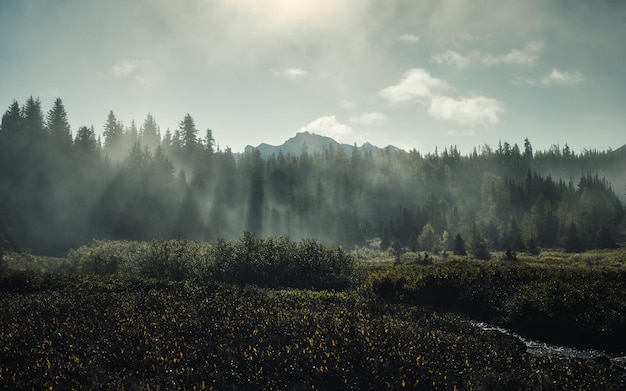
<point>420,74</point>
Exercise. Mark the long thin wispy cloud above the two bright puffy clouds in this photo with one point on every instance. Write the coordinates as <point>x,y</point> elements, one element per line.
<point>526,56</point>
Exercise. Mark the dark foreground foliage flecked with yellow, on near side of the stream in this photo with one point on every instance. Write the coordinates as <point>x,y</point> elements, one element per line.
<point>117,332</point>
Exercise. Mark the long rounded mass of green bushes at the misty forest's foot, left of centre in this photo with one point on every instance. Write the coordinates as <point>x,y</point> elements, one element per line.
<point>271,262</point>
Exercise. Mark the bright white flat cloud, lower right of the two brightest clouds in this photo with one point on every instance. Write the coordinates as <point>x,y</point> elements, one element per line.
<point>472,111</point>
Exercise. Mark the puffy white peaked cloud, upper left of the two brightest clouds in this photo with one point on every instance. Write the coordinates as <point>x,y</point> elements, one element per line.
<point>416,83</point>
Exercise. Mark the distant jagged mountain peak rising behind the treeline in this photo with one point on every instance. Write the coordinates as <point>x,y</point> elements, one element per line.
<point>314,144</point>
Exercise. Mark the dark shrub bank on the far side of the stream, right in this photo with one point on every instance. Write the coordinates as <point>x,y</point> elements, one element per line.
<point>570,305</point>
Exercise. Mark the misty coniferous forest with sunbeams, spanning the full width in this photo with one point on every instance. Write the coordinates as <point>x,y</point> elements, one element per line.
<point>62,188</point>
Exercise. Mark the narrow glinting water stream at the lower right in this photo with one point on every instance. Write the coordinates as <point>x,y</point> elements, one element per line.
<point>538,348</point>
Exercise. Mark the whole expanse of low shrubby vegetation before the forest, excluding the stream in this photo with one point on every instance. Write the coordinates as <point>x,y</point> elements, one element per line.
<point>179,314</point>
